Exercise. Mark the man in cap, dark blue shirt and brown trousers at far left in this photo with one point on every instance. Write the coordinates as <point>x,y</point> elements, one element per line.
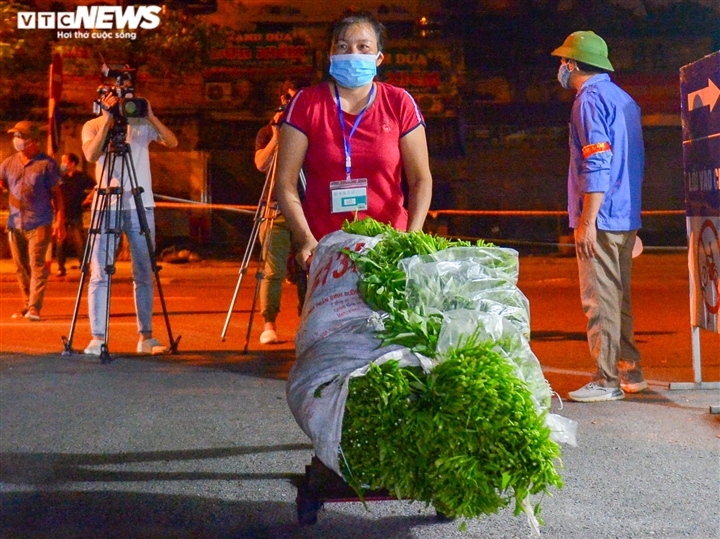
<point>32,178</point>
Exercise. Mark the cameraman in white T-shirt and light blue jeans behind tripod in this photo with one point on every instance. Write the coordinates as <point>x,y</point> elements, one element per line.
<point>139,133</point>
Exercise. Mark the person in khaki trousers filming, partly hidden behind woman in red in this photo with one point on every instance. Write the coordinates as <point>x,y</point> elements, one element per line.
<point>277,252</point>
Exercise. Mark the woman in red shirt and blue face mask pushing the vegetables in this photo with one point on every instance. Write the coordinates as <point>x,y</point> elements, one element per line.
<point>353,138</point>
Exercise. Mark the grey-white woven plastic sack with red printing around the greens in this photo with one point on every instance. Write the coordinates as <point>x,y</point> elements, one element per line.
<point>335,338</point>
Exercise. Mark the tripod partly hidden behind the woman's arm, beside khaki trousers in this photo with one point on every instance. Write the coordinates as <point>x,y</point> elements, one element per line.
<point>266,212</point>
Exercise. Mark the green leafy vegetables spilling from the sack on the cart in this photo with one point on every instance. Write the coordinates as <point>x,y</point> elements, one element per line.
<point>467,437</point>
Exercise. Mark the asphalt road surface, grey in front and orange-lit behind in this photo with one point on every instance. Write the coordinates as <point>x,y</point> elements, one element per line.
<point>201,444</point>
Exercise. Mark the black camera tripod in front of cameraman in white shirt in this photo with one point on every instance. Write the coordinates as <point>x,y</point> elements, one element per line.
<point>106,226</point>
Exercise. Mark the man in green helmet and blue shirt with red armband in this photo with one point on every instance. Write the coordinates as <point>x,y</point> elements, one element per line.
<point>605,177</point>
